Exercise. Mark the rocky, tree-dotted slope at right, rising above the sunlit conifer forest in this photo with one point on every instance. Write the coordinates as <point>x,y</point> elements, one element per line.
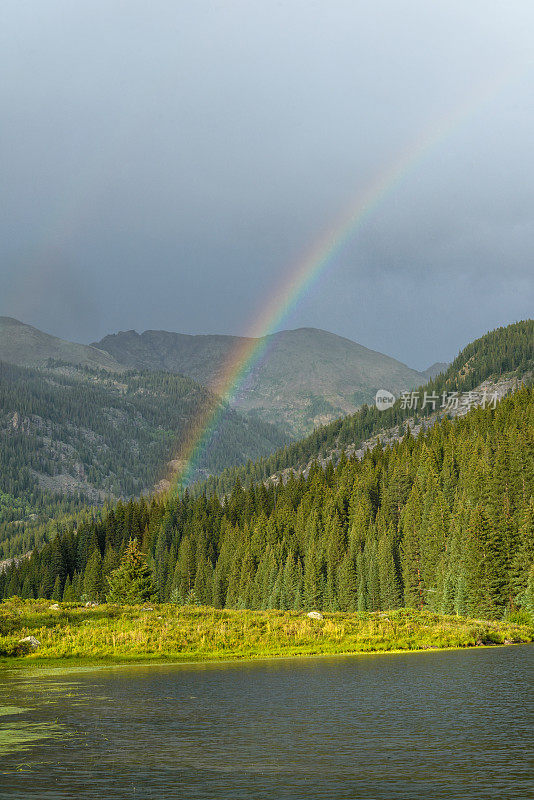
<point>497,362</point>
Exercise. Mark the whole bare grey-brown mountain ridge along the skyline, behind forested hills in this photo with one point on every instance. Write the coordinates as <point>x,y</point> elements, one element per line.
<point>307,376</point>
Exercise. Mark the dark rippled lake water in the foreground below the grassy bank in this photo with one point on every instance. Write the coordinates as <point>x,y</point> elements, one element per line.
<point>421,725</point>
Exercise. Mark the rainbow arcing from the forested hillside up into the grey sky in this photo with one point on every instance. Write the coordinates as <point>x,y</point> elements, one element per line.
<point>248,353</point>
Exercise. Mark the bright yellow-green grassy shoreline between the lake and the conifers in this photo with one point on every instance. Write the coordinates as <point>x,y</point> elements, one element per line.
<point>73,636</point>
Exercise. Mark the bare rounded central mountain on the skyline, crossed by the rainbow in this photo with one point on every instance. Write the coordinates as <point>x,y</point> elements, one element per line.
<point>307,378</point>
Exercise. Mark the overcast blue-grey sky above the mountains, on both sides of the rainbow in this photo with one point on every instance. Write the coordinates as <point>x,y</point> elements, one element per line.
<point>165,164</point>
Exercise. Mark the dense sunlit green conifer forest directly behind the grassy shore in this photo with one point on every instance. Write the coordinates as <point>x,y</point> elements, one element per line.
<point>444,521</point>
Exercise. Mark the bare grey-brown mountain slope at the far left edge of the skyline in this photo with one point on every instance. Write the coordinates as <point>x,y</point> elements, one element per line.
<point>28,347</point>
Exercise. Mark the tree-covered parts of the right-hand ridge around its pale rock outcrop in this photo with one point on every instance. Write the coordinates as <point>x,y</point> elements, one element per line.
<point>505,351</point>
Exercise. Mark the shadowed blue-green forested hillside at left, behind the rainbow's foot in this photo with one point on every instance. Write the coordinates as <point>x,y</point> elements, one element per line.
<point>72,435</point>
